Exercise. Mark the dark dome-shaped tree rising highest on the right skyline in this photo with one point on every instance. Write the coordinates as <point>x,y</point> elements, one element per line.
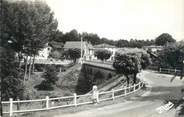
<point>164,39</point>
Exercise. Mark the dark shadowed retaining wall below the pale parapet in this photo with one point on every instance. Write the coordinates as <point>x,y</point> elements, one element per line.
<point>92,75</point>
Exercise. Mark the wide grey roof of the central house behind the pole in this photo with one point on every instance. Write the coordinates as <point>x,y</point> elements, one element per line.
<point>76,44</point>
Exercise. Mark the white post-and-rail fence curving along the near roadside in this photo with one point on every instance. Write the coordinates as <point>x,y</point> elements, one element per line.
<point>21,106</point>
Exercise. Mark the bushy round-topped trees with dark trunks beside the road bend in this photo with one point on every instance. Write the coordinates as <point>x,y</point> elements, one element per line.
<point>131,63</point>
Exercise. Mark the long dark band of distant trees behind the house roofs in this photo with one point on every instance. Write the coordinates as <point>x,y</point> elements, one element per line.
<point>94,39</point>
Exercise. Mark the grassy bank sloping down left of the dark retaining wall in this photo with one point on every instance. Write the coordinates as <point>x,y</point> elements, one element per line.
<point>65,85</point>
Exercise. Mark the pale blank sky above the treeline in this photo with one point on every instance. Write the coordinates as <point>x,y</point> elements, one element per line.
<point>121,19</point>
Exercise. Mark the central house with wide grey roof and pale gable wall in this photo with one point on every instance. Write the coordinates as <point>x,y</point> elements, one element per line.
<point>87,48</point>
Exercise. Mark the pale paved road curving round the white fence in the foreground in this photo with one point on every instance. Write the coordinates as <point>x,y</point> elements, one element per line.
<point>161,89</point>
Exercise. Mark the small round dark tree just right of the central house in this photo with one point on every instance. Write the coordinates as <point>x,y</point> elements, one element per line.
<point>103,54</point>
